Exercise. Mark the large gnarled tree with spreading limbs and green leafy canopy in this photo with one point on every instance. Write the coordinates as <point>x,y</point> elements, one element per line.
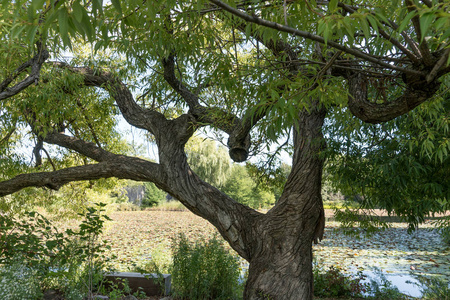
<point>254,71</point>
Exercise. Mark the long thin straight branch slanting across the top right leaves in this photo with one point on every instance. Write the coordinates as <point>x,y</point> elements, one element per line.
<point>313,37</point>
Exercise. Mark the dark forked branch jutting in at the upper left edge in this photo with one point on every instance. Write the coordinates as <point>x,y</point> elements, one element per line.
<point>35,63</point>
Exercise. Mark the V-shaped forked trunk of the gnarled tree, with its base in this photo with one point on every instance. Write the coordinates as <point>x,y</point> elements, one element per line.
<point>277,245</point>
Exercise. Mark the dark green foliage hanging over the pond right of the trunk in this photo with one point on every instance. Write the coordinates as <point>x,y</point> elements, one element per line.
<point>402,159</point>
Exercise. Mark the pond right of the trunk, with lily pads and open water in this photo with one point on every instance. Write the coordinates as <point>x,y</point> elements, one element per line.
<point>394,253</point>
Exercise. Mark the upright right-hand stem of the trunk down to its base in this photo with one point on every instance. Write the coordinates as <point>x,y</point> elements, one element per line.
<point>281,262</point>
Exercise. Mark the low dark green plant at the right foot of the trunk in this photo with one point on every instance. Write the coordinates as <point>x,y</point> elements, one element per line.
<point>334,283</point>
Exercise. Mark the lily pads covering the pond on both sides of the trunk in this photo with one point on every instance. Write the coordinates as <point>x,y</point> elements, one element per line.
<point>137,237</point>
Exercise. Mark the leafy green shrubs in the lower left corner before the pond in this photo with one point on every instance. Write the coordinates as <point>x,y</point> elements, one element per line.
<point>72,262</point>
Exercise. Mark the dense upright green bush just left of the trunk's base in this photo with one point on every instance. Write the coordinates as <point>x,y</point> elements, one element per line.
<point>204,270</point>
